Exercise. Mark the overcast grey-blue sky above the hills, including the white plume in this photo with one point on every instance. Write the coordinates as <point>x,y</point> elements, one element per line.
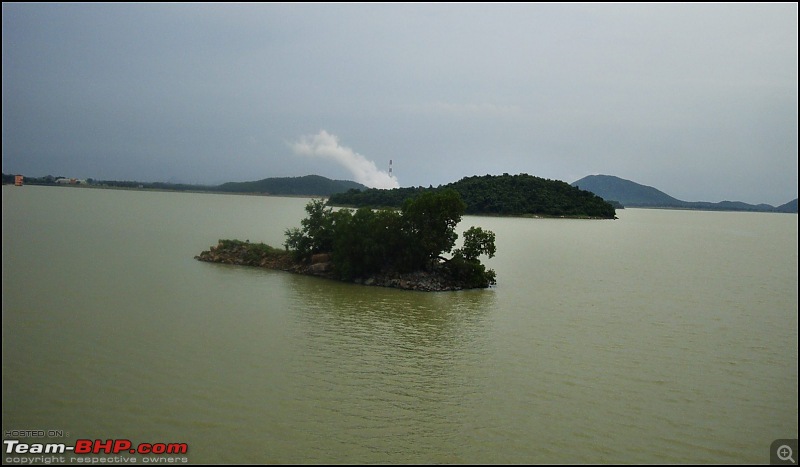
<point>697,100</point>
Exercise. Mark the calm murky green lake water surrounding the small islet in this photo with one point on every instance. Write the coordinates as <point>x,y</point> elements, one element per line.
<point>662,337</point>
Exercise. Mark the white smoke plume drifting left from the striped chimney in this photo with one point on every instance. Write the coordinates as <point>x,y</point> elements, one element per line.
<point>326,145</point>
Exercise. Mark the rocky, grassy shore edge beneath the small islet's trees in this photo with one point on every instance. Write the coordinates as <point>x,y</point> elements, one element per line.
<point>236,252</point>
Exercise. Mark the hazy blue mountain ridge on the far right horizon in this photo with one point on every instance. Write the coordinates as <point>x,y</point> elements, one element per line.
<point>632,194</point>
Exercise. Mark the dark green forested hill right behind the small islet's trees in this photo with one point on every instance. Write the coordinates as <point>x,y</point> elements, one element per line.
<point>511,195</point>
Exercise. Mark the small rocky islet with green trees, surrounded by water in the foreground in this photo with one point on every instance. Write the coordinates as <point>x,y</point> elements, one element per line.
<point>386,247</point>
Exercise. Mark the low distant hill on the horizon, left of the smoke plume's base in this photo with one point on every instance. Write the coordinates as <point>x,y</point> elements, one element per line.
<point>309,185</point>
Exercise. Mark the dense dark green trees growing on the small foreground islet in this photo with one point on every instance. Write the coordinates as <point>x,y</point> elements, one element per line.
<point>366,242</point>
